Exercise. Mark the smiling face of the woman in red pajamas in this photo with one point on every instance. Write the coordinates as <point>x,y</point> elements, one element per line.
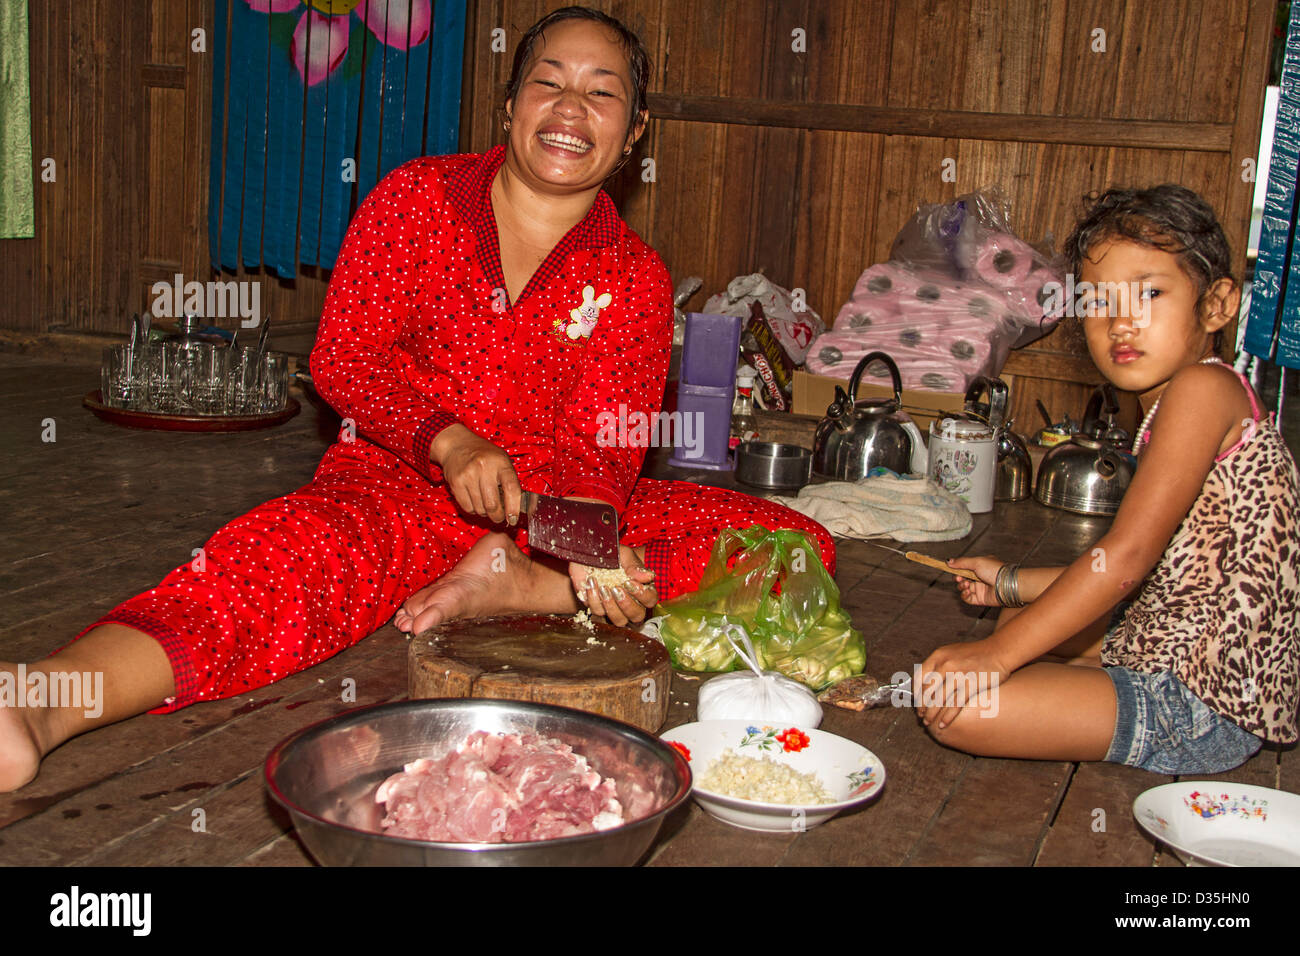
<point>569,124</point>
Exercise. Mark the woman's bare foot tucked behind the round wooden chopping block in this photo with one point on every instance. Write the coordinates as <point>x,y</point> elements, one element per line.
<point>493,578</point>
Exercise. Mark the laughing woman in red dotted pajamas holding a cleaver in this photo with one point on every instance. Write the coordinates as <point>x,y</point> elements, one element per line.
<point>486,312</point>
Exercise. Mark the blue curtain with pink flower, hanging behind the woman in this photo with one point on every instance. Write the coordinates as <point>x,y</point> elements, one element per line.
<point>311,109</point>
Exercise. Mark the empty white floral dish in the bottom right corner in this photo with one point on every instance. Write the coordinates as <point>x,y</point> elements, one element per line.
<point>1219,824</point>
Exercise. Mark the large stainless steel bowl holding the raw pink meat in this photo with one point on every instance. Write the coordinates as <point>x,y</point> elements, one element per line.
<point>327,776</point>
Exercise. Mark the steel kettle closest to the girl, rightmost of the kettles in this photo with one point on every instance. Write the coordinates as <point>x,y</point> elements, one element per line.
<point>1087,475</point>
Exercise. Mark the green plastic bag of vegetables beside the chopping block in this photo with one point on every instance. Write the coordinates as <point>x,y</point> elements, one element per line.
<point>775,586</point>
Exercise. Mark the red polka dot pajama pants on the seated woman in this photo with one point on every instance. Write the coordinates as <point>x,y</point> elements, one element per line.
<point>304,577</point>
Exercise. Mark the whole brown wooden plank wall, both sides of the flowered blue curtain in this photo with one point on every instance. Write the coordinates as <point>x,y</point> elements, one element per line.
<point>803,165</point>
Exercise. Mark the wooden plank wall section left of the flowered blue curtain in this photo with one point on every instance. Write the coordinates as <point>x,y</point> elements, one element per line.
<point>122,103</point>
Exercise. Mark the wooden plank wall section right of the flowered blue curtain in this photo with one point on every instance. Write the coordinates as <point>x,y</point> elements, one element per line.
<point>805,166</point>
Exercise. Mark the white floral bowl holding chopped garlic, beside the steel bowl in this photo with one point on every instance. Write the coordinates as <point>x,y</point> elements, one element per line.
<point>852,775</point>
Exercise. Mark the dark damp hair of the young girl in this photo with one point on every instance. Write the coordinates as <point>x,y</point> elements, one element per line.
<point>1169,218</point>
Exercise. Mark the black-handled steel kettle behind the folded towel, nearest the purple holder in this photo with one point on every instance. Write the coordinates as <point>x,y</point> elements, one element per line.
<point>855,438</point>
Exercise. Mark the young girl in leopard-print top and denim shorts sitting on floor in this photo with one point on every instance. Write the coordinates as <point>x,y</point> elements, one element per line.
<point>1173,642</point>
